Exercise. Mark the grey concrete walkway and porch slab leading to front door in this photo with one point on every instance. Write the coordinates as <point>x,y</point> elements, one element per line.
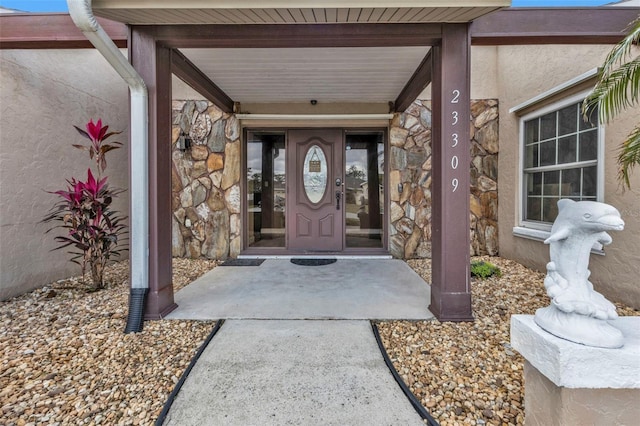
<point>273,365</point>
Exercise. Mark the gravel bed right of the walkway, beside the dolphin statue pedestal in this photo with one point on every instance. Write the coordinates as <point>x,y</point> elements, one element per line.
<point>467,373</point>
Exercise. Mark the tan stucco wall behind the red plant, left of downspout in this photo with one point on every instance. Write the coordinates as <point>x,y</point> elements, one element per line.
<point>43,93</point>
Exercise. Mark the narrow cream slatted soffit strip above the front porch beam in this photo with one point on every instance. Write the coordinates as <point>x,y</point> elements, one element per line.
<point>293,11</point>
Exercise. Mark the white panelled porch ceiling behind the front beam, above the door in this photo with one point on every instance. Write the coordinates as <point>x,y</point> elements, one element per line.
<point>368,75</point>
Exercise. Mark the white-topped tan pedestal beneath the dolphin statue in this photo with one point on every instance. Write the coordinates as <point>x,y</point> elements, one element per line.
<point>571,384</point>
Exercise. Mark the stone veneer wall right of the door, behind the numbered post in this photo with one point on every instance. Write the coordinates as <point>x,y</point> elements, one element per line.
<point>410,165</point>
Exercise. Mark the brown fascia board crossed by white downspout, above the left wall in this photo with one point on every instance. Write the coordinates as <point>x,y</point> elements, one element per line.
<point>52,31</point>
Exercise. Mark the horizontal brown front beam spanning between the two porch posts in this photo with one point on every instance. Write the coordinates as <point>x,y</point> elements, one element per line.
<point>299,35</point>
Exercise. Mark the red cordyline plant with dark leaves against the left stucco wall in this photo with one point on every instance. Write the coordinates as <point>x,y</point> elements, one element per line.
<point>92,229</point>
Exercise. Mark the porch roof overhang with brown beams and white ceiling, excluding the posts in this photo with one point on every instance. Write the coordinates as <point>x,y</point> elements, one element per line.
<point>258,52</point>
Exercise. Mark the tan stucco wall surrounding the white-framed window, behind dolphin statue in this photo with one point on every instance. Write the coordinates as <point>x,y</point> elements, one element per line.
<point>523,73</point>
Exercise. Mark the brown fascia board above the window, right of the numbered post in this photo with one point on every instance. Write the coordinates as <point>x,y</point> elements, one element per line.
<point>601,25</point>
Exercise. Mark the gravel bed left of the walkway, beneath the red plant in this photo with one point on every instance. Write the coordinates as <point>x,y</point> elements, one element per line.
<point>64,358</point>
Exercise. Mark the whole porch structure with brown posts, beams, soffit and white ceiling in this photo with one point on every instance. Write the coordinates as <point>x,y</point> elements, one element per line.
<point>357,51</point>
